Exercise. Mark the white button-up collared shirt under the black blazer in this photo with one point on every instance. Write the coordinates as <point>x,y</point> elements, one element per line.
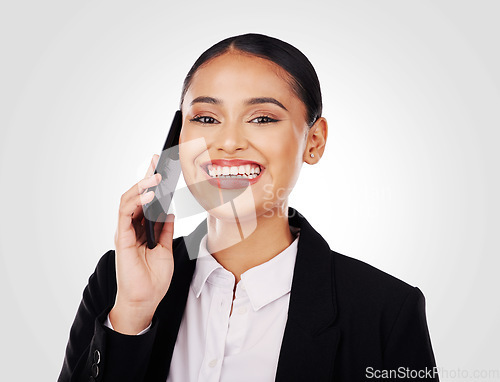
<point>244,346</point>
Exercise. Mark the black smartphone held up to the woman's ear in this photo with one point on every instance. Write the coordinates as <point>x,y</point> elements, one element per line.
<point>170,169</point>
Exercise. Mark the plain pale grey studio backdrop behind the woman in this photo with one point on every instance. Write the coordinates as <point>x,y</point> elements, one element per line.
<point>409,181</point>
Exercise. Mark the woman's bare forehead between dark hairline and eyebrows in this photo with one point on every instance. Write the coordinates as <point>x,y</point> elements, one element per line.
<point>238,75</point>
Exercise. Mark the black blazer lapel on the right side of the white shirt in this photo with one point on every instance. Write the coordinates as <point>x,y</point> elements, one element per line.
<point>310,339</point>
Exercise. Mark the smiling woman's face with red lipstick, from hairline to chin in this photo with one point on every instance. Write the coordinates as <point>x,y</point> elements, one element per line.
<point>254,131</point>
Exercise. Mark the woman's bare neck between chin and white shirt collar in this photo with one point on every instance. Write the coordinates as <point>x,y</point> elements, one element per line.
<point>238,253</point>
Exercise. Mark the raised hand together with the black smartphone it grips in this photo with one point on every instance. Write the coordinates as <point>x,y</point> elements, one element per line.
<point>143,273</point>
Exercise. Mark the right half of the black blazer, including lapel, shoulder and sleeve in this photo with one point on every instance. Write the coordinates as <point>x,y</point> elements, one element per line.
<point>346,310</point>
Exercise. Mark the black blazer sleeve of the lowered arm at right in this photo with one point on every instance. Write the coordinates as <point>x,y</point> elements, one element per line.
<point>408,347</point>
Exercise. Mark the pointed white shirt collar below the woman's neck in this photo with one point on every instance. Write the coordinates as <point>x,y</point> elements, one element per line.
<point>263,284</point>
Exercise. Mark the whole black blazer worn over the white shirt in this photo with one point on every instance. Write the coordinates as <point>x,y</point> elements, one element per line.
<point>347,321</point>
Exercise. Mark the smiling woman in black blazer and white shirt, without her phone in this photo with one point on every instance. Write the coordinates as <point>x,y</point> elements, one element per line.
<point>254,293</point>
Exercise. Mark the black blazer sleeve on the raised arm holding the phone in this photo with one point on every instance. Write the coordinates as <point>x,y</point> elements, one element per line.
<point>95,352</point>
